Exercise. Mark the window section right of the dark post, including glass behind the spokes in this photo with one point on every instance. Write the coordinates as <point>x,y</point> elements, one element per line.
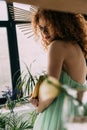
<point>30,50</point>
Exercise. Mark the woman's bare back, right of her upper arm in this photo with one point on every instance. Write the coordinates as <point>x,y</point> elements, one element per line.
<point>75,64</point>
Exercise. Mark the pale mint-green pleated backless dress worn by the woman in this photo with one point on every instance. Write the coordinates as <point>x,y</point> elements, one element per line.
<point>51,118</point>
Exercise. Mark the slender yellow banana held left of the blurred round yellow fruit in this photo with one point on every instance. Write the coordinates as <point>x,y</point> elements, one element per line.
<point>37,86</point>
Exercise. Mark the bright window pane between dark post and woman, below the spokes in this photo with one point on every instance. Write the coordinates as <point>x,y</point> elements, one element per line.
<point>31,53</point>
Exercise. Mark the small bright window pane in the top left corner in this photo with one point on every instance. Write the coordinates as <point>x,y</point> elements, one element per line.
<point>3,11</point>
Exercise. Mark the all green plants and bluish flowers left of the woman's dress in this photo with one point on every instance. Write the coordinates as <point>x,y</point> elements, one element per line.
<point>19,121</point>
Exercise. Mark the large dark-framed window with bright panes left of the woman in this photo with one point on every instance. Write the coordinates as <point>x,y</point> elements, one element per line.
<point>15,53</point>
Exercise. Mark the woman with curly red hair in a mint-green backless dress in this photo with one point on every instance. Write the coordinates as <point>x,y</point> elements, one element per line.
<point>65,37</point>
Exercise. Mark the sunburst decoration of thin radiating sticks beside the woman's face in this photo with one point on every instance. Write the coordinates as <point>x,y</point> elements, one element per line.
<point>20,14</point>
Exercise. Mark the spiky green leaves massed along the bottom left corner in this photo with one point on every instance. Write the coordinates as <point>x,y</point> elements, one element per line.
<point>16,121</point>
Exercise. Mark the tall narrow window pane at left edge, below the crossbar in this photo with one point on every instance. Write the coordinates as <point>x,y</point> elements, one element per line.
<point>5,74</point>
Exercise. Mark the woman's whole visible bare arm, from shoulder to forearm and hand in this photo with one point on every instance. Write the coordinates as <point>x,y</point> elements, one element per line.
<point>55,63</point>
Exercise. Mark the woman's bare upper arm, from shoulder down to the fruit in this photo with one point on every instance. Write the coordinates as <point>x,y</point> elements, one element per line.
<point>56,57</point>
